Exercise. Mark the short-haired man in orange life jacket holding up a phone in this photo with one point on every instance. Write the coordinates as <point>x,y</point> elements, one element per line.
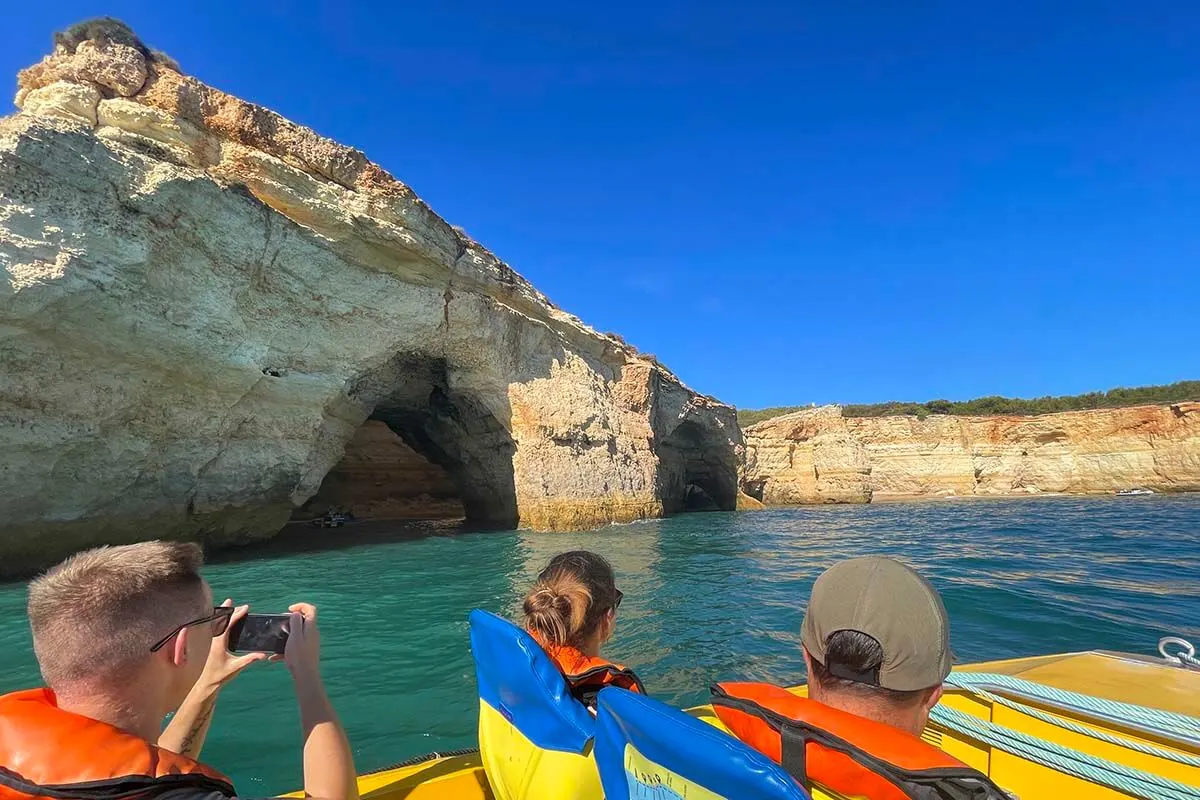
<point>125,636</point>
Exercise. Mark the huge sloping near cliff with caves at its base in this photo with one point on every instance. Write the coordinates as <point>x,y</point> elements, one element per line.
<point>202,304</point>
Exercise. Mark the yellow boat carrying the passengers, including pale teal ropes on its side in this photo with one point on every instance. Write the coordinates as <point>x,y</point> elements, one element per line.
<point>994,725</point>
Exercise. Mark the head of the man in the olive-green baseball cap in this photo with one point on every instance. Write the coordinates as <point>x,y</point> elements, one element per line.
<point>877,642</point>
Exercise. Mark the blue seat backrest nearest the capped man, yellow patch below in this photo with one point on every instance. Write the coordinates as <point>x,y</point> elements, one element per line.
<point>646,749</point>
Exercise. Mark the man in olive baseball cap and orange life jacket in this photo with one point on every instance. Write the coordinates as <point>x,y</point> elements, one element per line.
<point>877,643</point>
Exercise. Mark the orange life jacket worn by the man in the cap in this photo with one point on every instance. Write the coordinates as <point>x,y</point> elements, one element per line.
<point>844,753</point>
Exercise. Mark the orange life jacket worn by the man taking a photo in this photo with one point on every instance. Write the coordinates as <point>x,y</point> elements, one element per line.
<point>47,753</point>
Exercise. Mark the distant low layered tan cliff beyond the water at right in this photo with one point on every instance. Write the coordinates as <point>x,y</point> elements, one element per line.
<point>820,456</point>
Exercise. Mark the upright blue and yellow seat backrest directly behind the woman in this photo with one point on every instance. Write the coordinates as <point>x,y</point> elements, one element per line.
<point>535,738</point>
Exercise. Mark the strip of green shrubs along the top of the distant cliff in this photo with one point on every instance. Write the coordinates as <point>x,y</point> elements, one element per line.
<point>1184,390</point>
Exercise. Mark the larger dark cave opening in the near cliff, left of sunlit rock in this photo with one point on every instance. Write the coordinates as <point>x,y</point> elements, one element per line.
<point>428,452</point>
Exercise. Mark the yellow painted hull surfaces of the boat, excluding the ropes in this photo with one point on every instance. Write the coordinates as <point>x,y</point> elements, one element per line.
<point>1115,677</point>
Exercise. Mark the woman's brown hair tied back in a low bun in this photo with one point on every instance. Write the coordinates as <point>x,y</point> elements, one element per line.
<point>571,599</point>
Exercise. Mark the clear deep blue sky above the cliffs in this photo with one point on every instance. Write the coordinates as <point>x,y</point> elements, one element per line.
<point>785,202</point>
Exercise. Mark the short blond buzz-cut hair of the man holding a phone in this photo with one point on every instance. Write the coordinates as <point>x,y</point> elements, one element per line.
<point>97,615</point>
